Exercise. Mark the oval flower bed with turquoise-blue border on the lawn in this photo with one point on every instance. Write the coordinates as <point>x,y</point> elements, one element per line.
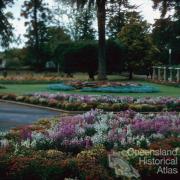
<point>106,87</point>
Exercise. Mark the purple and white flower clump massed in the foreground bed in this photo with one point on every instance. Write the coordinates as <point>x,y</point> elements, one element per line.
<point>124,128</point>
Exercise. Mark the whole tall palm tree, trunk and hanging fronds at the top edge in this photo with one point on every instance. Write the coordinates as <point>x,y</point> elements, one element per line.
<point>101,17</point>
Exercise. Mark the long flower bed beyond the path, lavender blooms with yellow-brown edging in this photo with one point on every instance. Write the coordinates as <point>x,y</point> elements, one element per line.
<point>106,102</point>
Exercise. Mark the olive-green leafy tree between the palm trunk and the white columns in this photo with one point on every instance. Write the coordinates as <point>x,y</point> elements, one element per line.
<point>140,48</point>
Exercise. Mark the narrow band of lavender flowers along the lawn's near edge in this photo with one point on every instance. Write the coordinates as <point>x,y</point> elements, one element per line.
<point>107,99</point>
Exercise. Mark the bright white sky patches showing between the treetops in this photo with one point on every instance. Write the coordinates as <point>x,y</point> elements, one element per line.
<point>144,6</point>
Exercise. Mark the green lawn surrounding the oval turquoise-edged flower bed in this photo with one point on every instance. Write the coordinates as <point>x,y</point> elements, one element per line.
<point>29,88</point>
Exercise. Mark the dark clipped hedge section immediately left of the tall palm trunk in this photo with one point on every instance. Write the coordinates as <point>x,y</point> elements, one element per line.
<point>74,57</point>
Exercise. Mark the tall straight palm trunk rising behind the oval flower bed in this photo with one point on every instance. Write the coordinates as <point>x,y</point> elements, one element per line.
<point>101,32</point>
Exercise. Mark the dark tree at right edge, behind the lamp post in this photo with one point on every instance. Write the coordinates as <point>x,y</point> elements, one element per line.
<point>166,30</point>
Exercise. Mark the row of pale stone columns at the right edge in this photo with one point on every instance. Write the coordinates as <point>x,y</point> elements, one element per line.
<point>170,74</point>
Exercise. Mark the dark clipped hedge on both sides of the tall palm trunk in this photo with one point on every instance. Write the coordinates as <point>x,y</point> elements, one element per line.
<point>82,57</point>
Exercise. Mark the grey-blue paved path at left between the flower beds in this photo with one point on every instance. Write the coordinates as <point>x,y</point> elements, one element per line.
<point>12,115</point>
